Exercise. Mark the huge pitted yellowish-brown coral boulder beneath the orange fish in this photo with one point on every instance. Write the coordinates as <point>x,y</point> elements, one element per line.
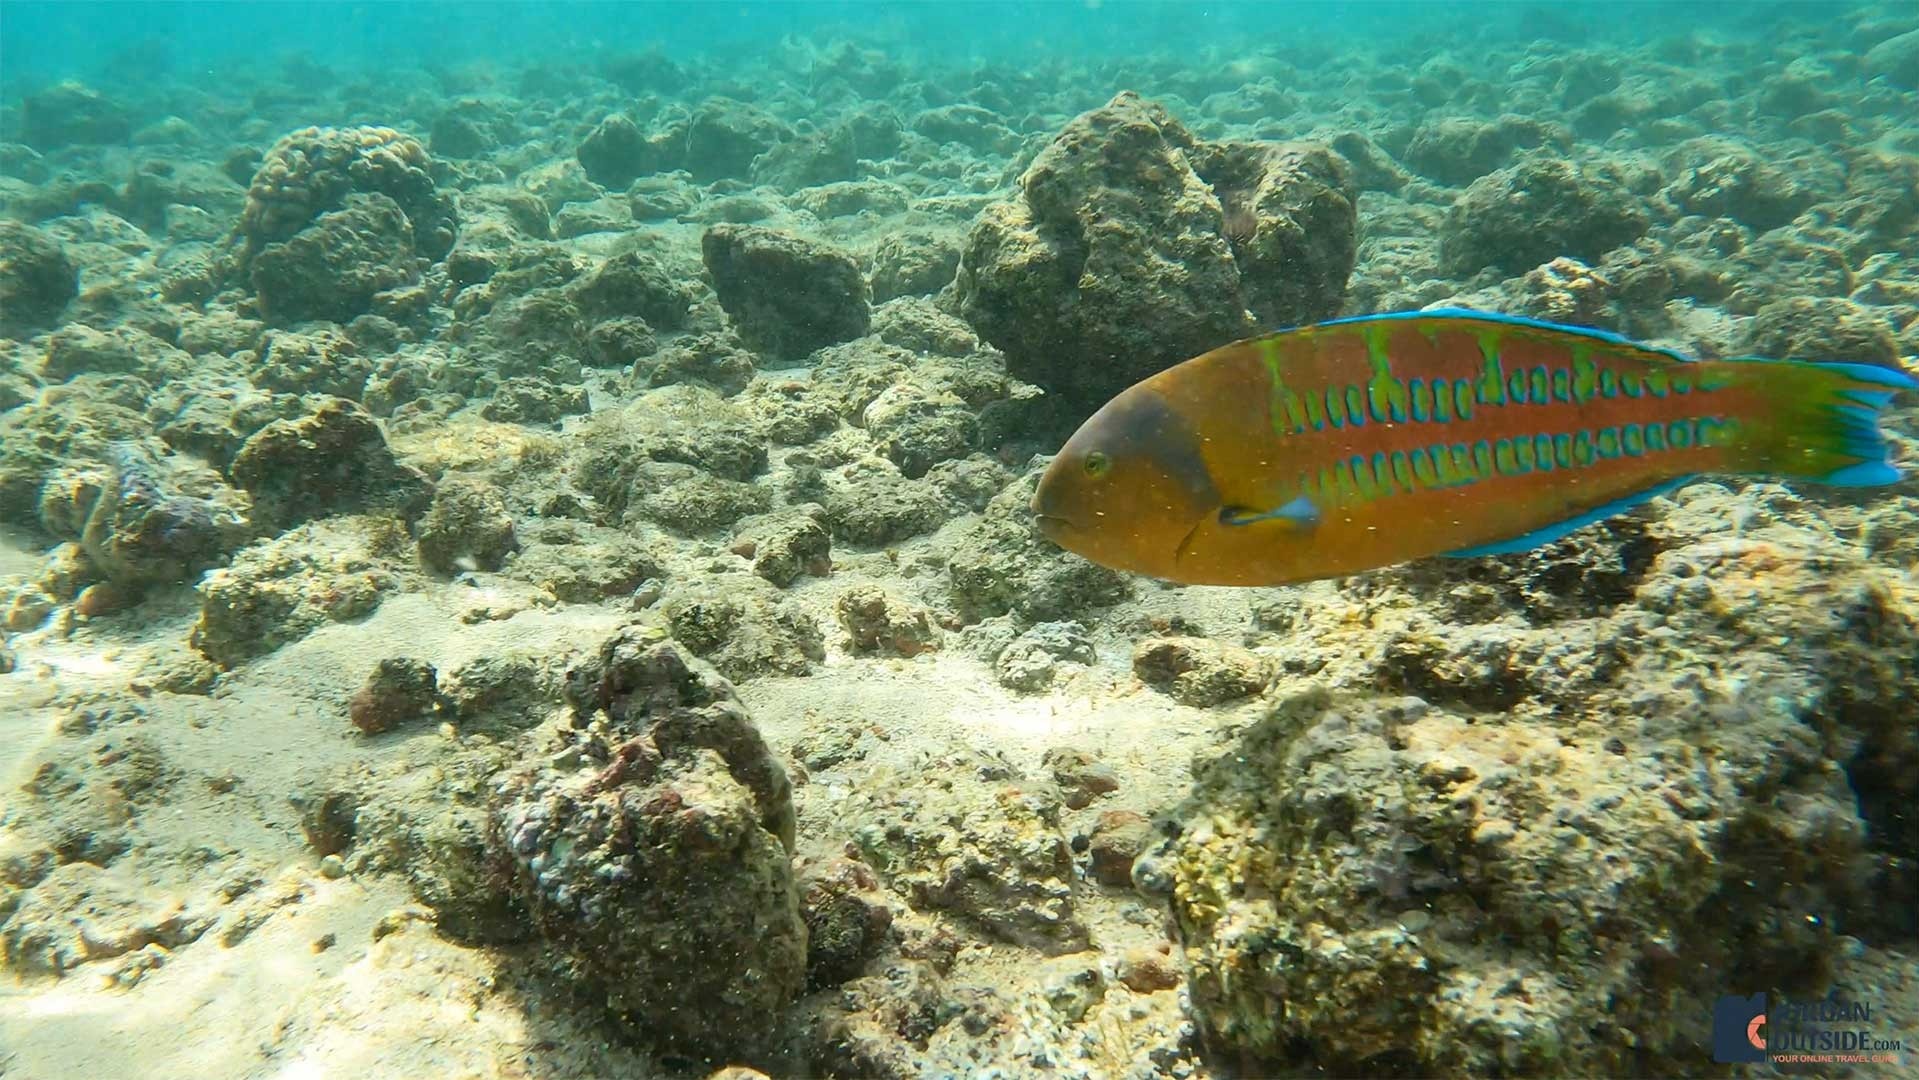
<point>1644,764</point>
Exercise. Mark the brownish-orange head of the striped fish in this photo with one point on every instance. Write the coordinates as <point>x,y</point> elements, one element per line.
<point>1129,488</point>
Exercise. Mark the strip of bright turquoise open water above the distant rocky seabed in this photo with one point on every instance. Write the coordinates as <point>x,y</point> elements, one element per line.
<point>51,41</point>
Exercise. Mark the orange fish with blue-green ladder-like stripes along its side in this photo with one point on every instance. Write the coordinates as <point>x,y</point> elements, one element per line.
<point>1365,442</point>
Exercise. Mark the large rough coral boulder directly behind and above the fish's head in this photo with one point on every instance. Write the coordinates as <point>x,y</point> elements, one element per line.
<point>1133,247</point>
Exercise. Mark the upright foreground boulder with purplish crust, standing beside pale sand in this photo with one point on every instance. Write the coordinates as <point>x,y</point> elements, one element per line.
<point>661,872</point>
